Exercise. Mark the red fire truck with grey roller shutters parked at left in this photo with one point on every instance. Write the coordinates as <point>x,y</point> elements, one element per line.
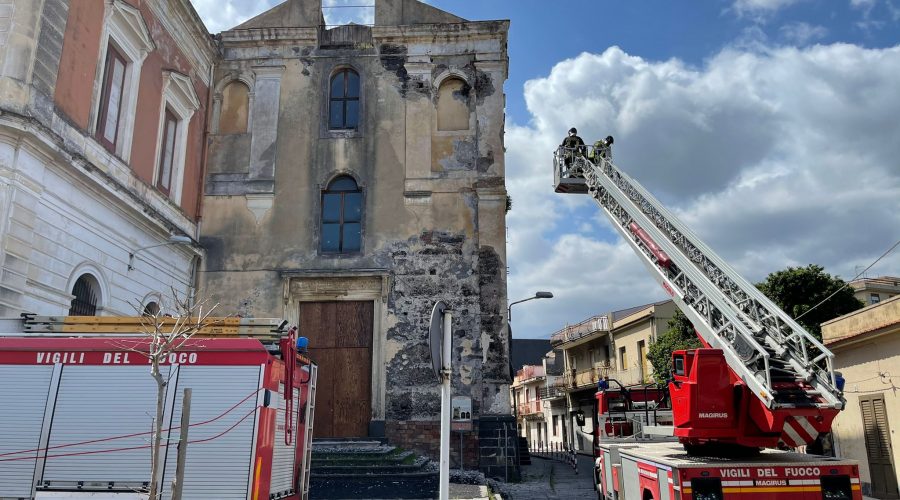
<point>76,413</point>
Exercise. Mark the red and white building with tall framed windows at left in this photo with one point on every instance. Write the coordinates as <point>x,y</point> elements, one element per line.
<point>102,118</point>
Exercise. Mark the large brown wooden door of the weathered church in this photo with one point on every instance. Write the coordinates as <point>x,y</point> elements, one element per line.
<point>340,340</point>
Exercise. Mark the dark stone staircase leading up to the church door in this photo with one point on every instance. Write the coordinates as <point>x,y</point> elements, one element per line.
<point>367,468</point>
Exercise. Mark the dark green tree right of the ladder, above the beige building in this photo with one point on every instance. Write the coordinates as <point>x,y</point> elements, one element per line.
<point>797,289</point>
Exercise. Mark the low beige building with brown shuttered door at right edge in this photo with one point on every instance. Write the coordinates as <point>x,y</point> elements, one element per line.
<point>866,344</point>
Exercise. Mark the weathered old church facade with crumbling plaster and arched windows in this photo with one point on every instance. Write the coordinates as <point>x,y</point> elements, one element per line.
<point>355,177</point>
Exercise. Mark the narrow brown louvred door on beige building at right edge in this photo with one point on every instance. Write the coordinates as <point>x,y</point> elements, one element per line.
<point>878,446</point>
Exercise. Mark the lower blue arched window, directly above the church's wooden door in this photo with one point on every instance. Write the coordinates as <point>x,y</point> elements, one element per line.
<point>342,216</point>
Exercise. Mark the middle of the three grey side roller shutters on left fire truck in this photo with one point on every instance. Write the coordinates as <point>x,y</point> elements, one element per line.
<point>98,402</point>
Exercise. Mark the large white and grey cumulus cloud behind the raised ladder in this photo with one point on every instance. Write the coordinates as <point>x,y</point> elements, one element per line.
<point>775,157</point>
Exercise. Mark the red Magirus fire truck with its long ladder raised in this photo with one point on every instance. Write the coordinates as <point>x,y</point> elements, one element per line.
<point>760,382</point>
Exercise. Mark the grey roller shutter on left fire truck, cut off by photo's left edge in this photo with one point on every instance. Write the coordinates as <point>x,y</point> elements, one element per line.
<point>22,405</point>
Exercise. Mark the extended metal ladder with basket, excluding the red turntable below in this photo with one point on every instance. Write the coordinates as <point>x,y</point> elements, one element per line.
<point>781,363</point>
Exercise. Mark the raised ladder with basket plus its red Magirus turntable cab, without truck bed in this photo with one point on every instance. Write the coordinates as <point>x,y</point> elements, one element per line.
<point>762,381</point>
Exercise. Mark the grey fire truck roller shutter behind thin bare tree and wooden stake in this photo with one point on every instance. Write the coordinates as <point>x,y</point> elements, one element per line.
<point>218,469</point>
